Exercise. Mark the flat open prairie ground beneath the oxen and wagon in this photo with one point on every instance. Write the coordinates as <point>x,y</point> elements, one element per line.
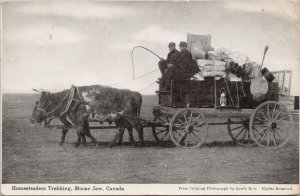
<point>32,155</point>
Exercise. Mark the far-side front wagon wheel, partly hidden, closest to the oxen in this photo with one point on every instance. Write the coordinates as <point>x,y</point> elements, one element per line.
<point>161,133</point>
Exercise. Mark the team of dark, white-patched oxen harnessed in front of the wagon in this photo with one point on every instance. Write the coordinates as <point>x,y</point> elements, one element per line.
<point>77,106</point>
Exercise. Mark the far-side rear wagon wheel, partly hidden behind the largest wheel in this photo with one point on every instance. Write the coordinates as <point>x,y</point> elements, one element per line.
<point>239,132</point>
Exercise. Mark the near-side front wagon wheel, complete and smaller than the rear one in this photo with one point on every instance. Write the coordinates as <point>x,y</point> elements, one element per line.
<point>188,128</point>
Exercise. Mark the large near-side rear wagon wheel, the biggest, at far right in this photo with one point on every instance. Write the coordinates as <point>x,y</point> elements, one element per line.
<point>270,124</point>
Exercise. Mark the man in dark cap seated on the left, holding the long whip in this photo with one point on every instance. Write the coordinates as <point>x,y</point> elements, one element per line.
<point>171,58</point>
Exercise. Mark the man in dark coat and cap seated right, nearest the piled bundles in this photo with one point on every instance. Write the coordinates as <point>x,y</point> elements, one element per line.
<point>183,68</point>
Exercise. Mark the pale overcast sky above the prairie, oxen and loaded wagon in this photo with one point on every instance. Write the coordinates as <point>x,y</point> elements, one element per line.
<point>52,45</point>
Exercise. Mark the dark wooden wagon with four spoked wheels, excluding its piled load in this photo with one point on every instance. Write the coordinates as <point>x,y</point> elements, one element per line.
<point>187,111</point>
